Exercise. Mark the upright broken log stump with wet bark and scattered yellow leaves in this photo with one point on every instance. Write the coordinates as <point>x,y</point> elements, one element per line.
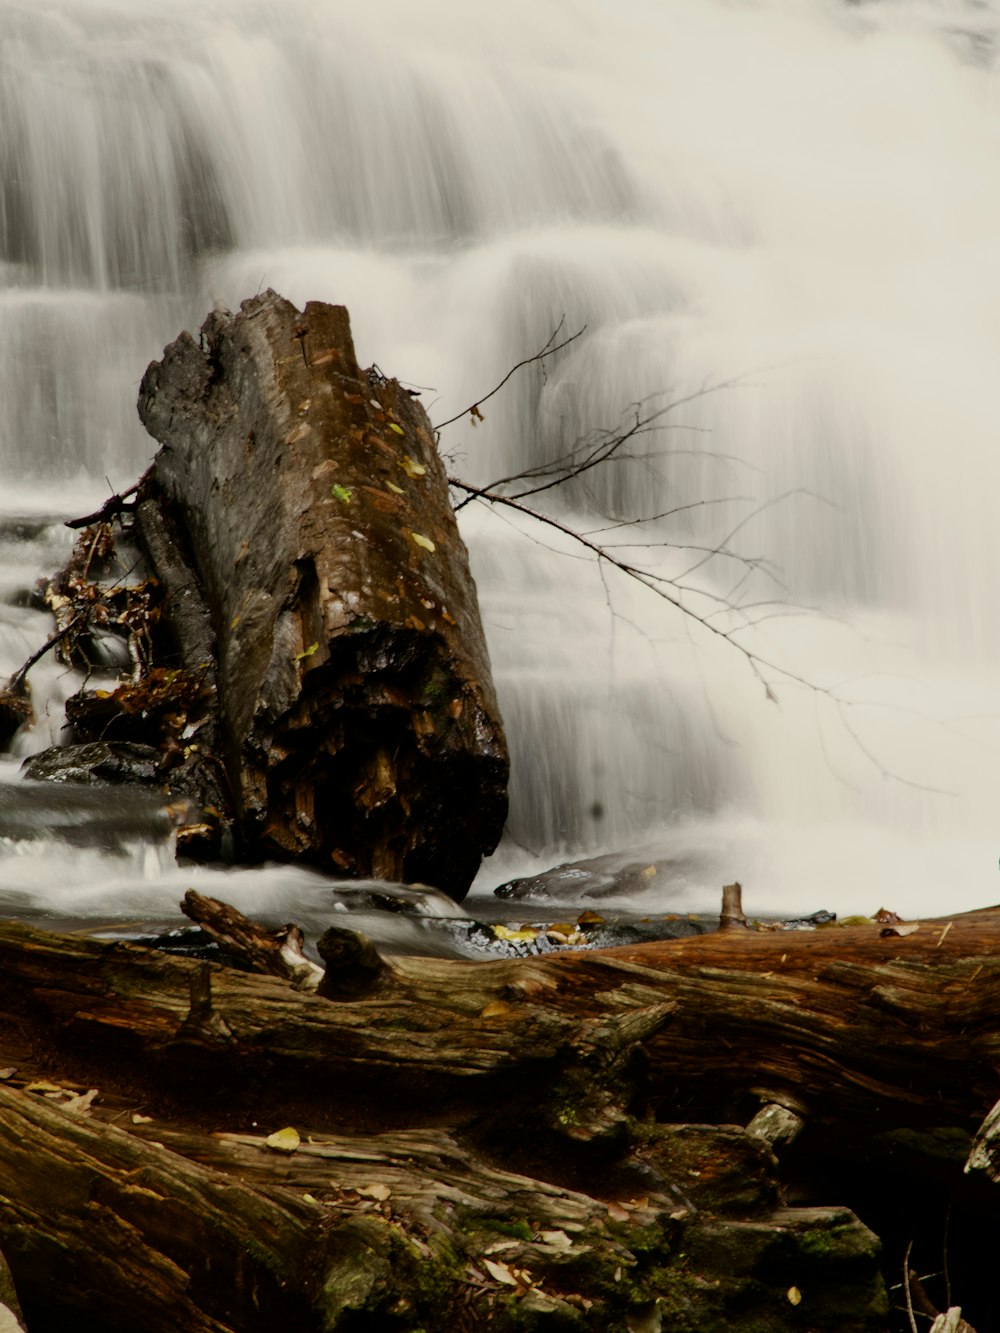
<point>358,711</point>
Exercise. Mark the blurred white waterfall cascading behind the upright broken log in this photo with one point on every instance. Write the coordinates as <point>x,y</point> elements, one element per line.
<point>797,195</point>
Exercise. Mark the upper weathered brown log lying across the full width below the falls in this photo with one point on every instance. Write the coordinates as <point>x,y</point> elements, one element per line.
<point>833,1018</point>
